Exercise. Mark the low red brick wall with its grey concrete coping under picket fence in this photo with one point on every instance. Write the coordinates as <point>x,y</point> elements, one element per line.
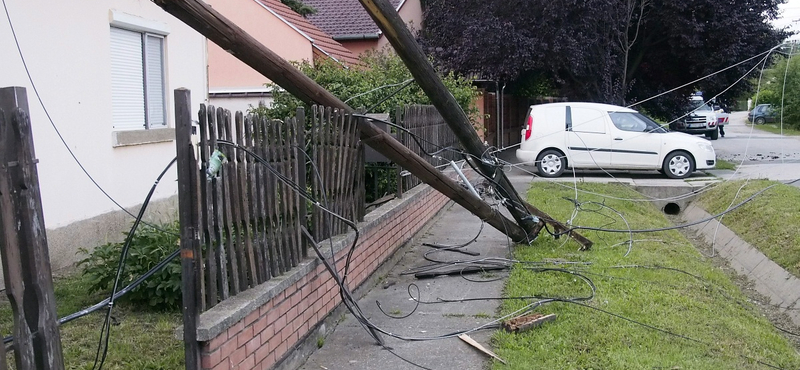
<point>259,328</point>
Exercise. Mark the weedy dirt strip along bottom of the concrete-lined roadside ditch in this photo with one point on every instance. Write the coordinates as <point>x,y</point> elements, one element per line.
<point>757,301</point>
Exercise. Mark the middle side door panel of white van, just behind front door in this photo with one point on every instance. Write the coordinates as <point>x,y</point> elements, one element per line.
<point>588,138</point>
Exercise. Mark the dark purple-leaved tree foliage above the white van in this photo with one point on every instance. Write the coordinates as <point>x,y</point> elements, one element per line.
<point>614,51</point>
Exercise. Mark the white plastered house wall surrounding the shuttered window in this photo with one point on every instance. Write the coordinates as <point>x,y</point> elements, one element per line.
<point>66,48</point>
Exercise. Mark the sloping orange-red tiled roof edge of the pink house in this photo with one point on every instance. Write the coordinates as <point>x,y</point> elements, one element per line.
<point>323,44</point>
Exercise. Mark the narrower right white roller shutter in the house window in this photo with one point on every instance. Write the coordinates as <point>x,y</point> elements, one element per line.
<point>154,85</point>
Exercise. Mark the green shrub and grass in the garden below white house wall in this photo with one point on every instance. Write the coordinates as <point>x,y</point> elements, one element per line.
<point>143,322</point>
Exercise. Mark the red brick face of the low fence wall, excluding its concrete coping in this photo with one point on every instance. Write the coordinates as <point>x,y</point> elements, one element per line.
<point>268,333</point>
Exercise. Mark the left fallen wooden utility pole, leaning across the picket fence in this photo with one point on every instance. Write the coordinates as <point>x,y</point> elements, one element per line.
<point>238,43</point>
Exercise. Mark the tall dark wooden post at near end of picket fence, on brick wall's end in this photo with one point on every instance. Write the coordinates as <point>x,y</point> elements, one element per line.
<point>190,224</point>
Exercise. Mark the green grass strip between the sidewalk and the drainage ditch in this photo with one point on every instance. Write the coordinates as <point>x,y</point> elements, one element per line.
<point>726,331</point>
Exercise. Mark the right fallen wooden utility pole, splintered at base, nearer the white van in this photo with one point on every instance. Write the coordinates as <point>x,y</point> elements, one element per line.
<point>390,23</point>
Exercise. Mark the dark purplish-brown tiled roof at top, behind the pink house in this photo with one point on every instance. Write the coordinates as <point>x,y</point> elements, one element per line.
<point>342,18</point>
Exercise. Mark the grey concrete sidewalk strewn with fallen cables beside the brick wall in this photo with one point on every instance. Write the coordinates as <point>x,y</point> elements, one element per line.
<point>351,347</point>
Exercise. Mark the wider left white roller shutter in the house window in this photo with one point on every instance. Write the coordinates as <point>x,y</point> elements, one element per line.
<point>127,76</point>
